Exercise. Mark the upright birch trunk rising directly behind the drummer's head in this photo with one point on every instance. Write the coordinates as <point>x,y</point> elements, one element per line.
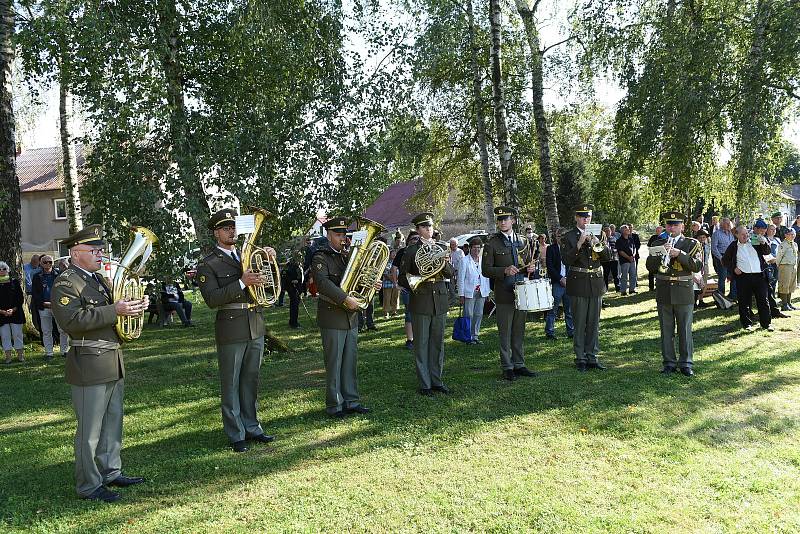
<point>507,168</point>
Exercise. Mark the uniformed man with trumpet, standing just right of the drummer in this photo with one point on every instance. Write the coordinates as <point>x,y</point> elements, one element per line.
<point>585,288</point>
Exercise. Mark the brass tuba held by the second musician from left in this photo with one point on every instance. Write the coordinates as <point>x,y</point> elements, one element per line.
<point>256,259</point>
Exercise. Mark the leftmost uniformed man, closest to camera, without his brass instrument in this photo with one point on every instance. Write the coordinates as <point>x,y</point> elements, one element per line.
<point>83,307</point>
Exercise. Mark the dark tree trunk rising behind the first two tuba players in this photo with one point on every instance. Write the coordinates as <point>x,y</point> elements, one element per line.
<point>181,146</point>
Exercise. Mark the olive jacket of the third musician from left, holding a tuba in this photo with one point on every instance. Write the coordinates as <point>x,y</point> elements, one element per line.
<point>328,267</point>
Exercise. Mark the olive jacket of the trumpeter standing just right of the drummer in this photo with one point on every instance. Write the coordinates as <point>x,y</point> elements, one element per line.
<point>583,284</point>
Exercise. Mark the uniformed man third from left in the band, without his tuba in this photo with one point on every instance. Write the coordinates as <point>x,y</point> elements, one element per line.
<point>337,319</point>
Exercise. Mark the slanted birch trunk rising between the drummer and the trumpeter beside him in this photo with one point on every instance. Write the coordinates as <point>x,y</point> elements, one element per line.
<point>542,132</point>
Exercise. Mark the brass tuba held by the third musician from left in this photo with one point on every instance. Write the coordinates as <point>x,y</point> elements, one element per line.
<point>368,259</point>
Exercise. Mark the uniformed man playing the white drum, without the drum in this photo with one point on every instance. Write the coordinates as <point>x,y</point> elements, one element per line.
<point>507,259</point>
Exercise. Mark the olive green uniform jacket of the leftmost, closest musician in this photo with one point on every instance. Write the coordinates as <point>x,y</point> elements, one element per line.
<point>85,311</point>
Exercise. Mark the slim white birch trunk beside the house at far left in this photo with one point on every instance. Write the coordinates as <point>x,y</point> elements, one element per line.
<point>69,163</point>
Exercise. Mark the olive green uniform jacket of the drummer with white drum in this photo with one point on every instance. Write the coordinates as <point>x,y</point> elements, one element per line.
<point>497,255</point>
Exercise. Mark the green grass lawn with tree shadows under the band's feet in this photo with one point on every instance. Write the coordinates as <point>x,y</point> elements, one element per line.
<point>625,450</point>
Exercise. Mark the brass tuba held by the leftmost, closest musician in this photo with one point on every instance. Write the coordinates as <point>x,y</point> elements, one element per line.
<point>127,285</point>
